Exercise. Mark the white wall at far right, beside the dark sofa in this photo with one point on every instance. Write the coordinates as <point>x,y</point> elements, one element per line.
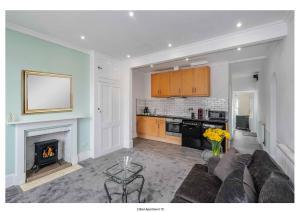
<point>280,63</point>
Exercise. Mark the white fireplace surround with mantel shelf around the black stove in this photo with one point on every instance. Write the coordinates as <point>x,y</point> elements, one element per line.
<point>25,130</point>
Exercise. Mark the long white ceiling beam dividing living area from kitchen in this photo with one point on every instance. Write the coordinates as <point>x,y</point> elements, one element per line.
<point>255,35</point>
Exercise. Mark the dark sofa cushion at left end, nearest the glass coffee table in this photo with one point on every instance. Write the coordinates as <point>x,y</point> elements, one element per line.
<point>199,186</point>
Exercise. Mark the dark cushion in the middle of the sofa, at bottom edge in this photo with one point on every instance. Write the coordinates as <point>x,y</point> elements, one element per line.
<point>238,187</point>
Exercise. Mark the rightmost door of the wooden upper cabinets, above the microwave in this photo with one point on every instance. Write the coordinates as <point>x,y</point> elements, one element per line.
<point>202,81</point>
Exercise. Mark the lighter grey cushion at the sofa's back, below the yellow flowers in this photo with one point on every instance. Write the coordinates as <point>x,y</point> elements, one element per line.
<point>230,161</point>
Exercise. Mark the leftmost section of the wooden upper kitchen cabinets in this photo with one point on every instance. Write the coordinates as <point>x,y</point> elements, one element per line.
<point>160,84</point>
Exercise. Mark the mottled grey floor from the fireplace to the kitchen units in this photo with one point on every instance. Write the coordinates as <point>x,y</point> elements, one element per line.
<point>165,167</point>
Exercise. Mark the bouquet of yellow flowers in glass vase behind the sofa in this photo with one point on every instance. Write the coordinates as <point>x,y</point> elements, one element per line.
<point>216,137</point>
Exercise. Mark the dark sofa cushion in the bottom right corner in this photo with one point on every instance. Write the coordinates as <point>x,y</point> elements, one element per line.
<point>277,189</point>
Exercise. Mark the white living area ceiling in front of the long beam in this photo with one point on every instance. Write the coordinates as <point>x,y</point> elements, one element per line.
<point>116,34</point>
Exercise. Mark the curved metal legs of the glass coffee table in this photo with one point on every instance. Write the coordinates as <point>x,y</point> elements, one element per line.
<point>125,192</point>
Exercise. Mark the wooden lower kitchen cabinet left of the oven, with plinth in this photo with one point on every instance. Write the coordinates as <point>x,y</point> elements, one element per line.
<point>154,128</point>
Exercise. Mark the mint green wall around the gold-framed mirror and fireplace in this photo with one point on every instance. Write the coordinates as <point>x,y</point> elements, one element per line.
<point>27,52</point>
